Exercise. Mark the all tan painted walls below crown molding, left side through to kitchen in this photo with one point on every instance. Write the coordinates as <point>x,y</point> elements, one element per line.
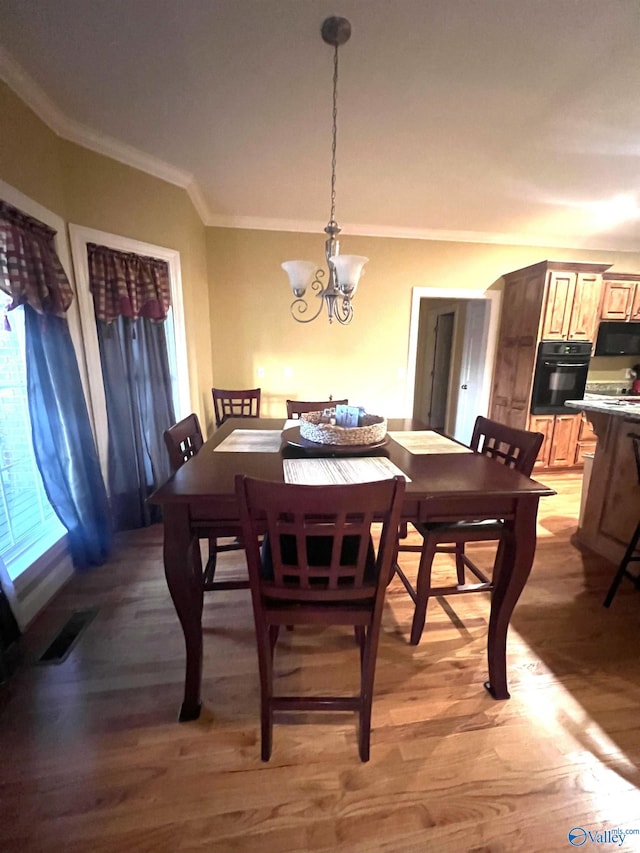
<point>239,330</point>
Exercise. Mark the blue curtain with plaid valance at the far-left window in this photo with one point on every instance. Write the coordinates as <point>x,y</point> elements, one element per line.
<point>61,433</point>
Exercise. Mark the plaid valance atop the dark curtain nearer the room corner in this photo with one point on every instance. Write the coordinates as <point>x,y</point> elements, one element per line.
<point>127,285</point>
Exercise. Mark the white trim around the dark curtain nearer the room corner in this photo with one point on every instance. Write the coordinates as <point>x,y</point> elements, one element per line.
<point>79,237</point>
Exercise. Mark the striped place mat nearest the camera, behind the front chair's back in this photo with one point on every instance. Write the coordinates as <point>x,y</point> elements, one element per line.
<point>327,472</point>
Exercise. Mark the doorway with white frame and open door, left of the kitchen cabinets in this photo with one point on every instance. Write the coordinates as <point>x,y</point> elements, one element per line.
<point>468,327</point>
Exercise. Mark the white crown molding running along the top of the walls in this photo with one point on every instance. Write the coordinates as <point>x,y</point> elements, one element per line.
<point>36,98</point>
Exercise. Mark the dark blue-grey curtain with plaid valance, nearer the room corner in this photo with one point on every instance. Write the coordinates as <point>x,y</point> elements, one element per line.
<point>131,297</point>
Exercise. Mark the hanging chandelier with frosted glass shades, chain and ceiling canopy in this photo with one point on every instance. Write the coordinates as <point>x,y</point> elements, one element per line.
<point>344,270</point>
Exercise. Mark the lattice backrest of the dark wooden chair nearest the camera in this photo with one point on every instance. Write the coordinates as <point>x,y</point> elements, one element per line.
<point>319,538</point>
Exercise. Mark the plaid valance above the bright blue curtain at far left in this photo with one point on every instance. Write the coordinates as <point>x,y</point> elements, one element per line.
<point>31,272</point>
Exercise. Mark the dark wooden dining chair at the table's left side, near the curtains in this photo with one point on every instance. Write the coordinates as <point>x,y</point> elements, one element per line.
<point>183,440</point>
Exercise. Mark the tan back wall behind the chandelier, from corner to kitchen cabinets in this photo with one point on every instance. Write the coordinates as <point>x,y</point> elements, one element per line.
<point>366,361</point>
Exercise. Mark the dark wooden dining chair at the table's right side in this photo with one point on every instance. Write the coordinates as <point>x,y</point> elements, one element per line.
<point>515,448</point>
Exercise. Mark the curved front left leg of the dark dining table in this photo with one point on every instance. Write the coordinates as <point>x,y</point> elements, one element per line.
<point>183,571</point>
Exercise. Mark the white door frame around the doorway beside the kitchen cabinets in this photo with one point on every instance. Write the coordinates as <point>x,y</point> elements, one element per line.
<point>494,298</point>
